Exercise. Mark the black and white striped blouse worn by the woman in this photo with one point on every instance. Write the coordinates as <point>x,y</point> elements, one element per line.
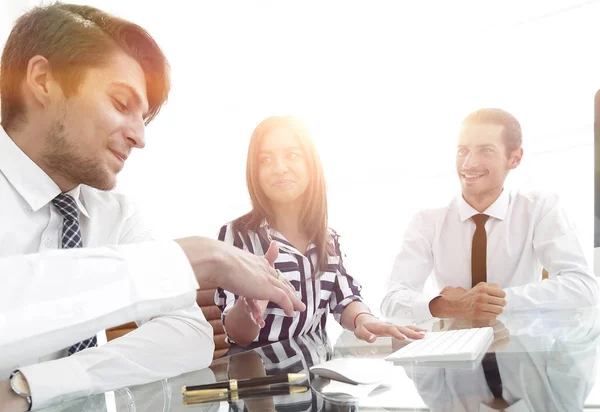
<point>330,291</point>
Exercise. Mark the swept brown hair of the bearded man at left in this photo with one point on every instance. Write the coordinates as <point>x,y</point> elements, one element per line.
<point>74,38</point>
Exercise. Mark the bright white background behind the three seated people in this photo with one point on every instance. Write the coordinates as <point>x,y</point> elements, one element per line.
<point>382,85</point>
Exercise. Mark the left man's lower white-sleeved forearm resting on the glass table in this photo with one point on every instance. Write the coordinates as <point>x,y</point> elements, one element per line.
<point>164,347</point>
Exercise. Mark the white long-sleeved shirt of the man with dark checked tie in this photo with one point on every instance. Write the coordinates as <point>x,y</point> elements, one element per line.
<point>51,299</point>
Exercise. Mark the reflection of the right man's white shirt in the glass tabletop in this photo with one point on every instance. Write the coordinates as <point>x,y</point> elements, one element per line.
<point>547,362</point>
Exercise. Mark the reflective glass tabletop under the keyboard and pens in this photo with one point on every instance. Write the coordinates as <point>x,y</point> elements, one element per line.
<point>546,361</point>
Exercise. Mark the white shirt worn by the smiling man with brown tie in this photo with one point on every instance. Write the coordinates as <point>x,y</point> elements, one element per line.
<point>525,233</point>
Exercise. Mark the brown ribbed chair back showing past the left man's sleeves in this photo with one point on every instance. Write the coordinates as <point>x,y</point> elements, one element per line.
<point>205,297</point>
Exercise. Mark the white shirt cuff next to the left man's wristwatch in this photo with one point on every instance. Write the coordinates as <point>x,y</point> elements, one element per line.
<point>56,381</point>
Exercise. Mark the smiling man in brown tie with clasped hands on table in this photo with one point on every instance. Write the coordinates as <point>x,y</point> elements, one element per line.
<point>487,248</point>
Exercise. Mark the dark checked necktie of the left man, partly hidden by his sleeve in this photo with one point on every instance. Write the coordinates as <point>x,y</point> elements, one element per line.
<point>71,238</point>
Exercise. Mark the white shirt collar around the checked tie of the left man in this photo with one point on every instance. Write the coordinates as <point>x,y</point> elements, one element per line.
<point>28,179</point>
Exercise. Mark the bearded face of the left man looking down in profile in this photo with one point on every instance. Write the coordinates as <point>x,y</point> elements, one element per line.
<point>96,128</point>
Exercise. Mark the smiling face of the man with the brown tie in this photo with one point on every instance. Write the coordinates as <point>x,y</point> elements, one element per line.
<point>482,162</point>
